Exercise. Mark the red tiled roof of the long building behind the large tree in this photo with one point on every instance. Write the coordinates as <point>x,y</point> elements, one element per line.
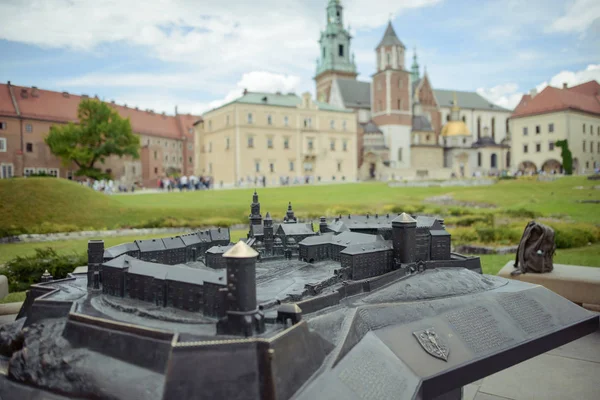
<point>62,107</point>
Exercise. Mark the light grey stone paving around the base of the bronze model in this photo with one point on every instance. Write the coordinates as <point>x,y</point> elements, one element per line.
<point>568,372</point>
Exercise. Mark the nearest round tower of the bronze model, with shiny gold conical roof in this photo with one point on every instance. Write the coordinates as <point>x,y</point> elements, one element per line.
<point>243,317</point>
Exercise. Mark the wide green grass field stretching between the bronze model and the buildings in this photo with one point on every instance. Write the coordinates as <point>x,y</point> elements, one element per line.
<point>43,205</point>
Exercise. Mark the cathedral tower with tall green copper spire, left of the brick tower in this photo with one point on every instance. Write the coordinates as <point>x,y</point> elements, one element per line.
<point>335,60</point>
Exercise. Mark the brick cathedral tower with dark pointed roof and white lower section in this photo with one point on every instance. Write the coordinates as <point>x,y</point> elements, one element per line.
<point>391,106</point>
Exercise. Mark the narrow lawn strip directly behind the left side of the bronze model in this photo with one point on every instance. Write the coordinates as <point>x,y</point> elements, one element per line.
<point>9,251</point>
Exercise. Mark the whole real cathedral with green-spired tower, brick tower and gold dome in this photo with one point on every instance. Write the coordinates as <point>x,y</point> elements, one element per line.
<point>407,129</point>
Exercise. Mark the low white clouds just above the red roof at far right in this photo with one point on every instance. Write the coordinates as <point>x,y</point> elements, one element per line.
<point>508,95</point>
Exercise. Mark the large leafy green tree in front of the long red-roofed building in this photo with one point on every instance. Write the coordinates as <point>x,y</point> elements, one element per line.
<point>100,133</point>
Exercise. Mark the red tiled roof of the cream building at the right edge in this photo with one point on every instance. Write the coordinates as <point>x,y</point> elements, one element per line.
<point>584,97</point>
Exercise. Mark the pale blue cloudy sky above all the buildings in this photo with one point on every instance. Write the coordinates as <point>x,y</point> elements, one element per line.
<point>198,53</point>
